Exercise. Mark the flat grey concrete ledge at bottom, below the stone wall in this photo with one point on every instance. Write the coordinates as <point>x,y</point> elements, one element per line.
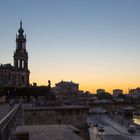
<point>47,132</point>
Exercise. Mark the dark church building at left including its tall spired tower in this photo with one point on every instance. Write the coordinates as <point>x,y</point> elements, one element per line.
<point>17,75</point>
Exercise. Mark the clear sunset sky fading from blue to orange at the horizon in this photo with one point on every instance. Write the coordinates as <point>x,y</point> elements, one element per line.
<point>95,43</point>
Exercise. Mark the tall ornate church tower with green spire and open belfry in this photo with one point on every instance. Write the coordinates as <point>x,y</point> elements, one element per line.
<point>21,59</point>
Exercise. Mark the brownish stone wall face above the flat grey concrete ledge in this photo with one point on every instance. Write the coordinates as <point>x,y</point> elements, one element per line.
<point>76,116</point>
